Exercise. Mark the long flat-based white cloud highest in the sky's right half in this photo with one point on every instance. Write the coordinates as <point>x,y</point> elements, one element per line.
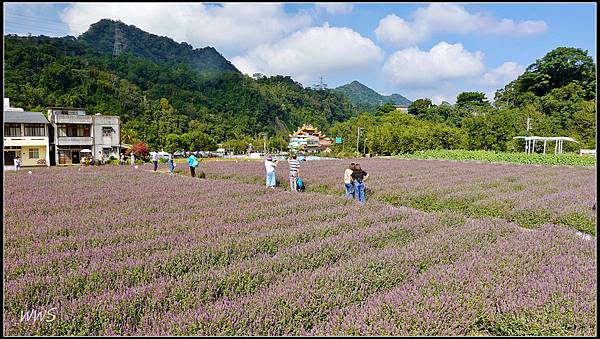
<point>449,18</point>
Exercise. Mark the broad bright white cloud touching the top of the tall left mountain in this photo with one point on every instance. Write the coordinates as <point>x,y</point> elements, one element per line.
<point>231,27</point>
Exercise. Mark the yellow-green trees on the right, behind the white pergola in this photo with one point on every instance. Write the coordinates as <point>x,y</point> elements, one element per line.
<point>557,94</point>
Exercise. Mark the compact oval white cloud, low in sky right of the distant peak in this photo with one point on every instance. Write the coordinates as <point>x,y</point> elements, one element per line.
<point>426,69</point>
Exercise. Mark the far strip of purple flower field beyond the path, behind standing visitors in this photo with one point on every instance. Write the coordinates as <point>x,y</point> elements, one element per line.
<point>529,195</point>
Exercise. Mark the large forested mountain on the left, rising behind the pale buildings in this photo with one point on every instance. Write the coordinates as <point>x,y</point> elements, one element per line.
<point>167,95</point>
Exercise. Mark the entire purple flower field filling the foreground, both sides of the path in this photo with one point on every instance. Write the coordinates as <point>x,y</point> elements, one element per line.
<point>119,251</point>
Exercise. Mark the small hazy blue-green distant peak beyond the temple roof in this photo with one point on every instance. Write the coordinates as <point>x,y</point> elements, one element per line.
<point>366,98</point>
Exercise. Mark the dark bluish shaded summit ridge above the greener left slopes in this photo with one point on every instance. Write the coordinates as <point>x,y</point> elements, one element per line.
<point>130,39</point>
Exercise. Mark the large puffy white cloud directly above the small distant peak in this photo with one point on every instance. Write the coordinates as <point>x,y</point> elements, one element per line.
<point>309,53</point>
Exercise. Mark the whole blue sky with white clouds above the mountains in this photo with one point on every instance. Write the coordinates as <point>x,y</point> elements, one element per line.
<point>433,50</point>
